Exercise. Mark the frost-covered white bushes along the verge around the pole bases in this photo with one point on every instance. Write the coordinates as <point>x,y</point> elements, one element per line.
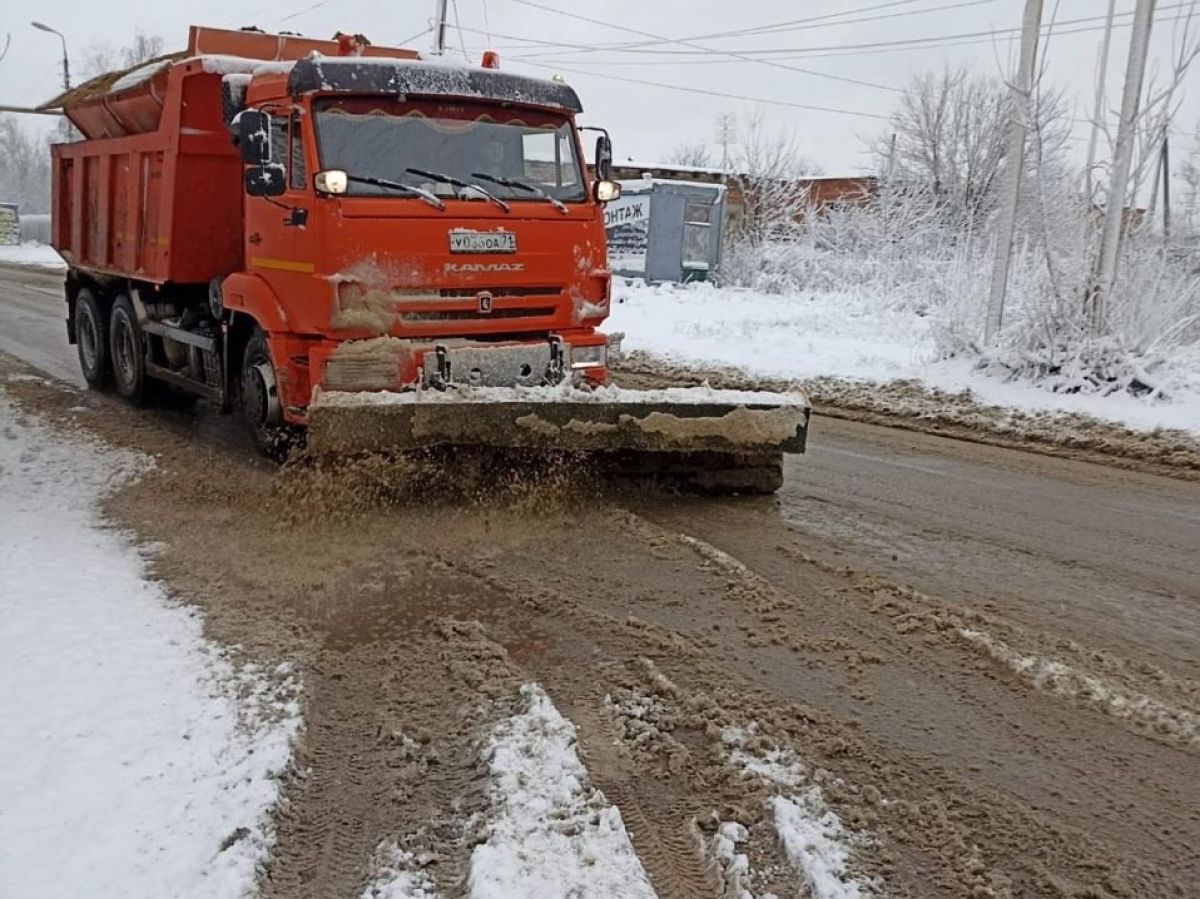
<point>903,251</point>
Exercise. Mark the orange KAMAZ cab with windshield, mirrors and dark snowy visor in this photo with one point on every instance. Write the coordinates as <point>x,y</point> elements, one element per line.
<point>417,225</point>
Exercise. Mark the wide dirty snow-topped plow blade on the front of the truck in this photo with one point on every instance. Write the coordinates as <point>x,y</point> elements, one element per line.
<point>719,441</point>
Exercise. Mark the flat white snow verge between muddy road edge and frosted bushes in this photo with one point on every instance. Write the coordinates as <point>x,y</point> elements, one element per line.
<point>851,337</point>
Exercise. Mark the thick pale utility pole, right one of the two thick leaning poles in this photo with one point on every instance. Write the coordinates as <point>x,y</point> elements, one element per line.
<point>1119,187</point>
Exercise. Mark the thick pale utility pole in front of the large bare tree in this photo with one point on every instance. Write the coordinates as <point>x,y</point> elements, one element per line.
<point>1022,92</point>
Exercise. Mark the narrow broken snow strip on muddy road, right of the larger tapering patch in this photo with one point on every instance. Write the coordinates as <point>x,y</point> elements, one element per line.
<point>814,838</point>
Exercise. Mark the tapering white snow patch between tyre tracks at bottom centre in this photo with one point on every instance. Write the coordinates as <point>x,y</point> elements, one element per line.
<point>553,835</point>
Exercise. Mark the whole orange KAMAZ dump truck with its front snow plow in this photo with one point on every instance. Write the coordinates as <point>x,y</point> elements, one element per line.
<point>383,251</point>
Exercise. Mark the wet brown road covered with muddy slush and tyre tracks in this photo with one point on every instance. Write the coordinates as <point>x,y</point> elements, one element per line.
<point>939,662</point>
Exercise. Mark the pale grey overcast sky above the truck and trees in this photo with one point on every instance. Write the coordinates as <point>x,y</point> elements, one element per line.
<point>649,122</point>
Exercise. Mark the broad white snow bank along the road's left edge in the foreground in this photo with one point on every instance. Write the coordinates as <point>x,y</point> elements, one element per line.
<point>131,769</point>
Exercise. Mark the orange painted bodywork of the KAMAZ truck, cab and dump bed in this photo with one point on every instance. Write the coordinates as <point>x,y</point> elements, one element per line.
<point>153,202</point>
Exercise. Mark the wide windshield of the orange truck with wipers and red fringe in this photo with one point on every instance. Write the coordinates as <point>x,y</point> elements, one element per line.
<point>430,146</point>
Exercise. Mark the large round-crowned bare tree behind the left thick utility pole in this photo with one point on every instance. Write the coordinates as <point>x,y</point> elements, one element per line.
<point>950,133</point>
